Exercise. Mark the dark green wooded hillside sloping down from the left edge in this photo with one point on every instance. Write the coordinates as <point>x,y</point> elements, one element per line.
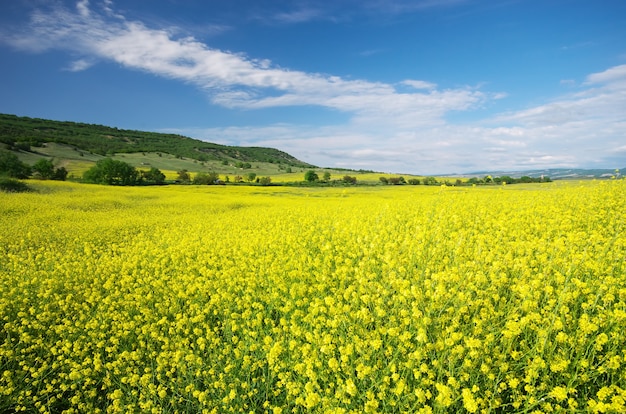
<point>23,132</point>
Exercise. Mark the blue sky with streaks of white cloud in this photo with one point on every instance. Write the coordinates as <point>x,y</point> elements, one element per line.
<point>420,86</point>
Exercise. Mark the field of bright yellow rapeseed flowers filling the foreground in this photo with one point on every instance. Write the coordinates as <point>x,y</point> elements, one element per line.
<point>186,299</point>
